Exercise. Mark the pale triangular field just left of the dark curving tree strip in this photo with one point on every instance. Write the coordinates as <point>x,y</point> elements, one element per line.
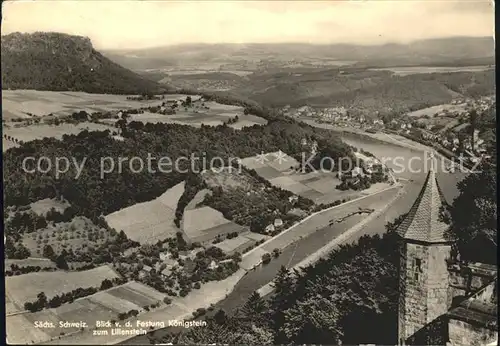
<point>151,221</point>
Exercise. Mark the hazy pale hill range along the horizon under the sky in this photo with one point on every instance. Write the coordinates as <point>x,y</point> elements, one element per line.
<point>455,50</point>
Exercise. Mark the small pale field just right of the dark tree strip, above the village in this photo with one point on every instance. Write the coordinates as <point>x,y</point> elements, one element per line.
<point>205,223</point>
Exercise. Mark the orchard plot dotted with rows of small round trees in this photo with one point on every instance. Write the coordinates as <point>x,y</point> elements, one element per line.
<point>80,234</point>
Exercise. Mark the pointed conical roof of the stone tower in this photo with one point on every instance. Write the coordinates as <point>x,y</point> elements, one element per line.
<point>423,222</point>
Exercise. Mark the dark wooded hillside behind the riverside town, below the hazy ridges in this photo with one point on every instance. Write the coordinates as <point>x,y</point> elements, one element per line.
<point>366,90</point>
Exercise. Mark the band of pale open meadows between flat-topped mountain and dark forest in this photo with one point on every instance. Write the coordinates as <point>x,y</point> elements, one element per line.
<point>30,104</point>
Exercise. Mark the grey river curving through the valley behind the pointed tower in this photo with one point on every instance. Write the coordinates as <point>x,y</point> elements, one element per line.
<point>294,253</point>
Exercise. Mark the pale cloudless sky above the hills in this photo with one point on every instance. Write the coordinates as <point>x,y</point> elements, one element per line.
<point>121,24</point>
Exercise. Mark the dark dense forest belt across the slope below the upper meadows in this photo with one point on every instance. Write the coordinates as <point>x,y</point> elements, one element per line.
<point>91,196</point>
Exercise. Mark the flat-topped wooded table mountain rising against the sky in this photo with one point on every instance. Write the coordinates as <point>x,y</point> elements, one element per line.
<point>55,61</point>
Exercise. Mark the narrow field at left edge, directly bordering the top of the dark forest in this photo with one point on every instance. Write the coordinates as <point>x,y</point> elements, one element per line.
<point>39,131</point>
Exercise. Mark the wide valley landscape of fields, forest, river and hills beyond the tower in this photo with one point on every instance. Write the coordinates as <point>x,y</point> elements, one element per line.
<point>236,205</point>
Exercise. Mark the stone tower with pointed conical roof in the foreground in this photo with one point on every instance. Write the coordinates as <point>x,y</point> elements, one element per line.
<point>424,249</point>
